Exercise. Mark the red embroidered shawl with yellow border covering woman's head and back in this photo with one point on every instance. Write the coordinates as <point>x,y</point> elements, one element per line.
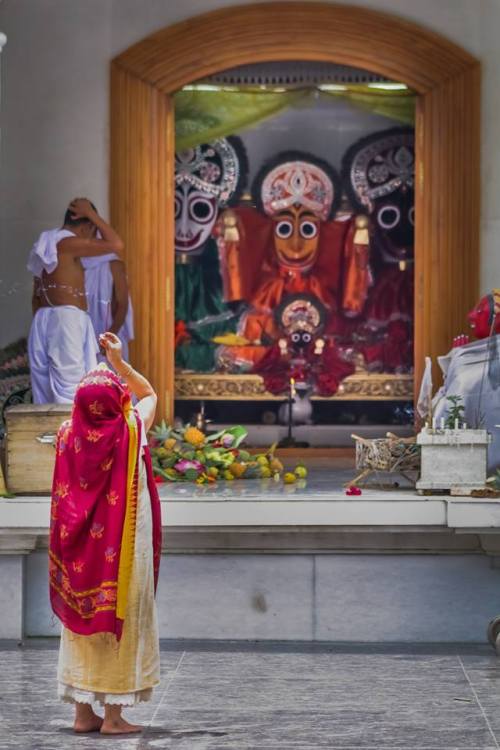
<point>93,511</point>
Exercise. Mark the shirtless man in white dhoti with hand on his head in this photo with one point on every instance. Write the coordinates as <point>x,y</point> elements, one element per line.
<point>62,344</point>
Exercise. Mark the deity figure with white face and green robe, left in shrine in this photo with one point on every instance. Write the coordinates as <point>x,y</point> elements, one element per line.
<point>207,178</point>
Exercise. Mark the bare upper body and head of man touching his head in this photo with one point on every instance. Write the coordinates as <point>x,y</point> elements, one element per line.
<point>66,284</point>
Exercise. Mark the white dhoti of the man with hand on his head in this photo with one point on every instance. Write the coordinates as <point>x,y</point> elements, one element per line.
<point>62,348</point>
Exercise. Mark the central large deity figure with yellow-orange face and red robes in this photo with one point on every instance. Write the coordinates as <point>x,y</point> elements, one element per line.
<point>289,244</point>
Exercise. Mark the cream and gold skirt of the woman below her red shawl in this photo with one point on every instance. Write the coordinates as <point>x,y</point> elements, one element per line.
<point>98,668</point>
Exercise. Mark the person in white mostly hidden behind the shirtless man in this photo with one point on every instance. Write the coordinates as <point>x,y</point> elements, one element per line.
<point>108,299</point>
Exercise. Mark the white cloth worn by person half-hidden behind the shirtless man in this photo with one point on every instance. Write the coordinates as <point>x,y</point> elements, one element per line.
<point>99,291</point>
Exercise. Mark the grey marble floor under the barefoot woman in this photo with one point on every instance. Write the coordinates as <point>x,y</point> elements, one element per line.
<point>270,697</point>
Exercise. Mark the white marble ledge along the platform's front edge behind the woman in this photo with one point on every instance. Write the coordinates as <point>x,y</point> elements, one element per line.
<point>438,525</point>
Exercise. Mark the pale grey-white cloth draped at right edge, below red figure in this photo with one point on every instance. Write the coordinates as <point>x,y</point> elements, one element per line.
<point>465,371</point>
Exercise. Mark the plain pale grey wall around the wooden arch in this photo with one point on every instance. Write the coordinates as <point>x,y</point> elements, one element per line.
<point>54,112</point>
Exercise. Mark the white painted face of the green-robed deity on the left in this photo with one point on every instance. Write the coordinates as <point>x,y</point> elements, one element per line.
<point>195,216</point>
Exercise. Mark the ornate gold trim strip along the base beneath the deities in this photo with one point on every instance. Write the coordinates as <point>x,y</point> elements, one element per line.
<point>358,387</point>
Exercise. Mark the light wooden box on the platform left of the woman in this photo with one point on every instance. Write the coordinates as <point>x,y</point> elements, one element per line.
<point>30,454</point>
